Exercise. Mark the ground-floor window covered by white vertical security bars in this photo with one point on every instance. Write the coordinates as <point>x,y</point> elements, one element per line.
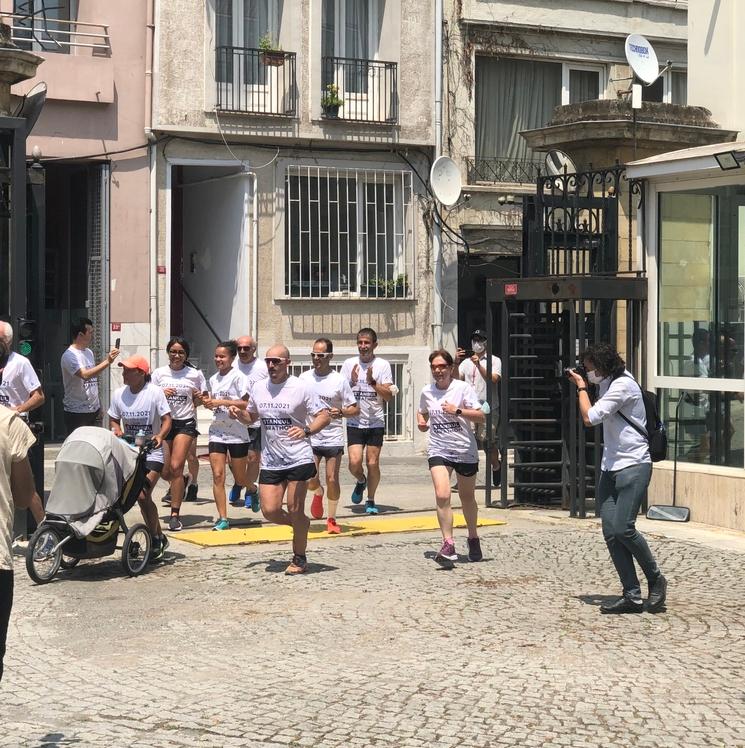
<point>348,232</point>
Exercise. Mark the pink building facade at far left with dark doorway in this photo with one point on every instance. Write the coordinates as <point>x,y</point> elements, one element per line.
<point>90,139</point>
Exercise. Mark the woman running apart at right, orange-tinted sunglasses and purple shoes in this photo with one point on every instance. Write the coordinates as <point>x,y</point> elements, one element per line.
<point>447,408</point>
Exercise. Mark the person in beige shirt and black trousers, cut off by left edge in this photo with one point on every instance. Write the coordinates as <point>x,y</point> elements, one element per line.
<point>16,491</point>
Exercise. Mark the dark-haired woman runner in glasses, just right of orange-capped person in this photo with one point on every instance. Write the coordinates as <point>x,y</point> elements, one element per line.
<point>184,386</point>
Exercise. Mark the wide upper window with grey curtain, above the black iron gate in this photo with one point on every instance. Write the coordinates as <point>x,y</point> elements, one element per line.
<point>521,94</point>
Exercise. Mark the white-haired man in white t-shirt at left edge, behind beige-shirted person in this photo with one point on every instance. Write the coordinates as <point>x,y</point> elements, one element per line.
<point>20,391</point>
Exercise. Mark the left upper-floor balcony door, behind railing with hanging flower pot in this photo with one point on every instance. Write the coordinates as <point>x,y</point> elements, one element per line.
<point>242,73</point>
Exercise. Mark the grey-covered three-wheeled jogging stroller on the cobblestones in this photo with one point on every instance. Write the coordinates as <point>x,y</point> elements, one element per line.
<point>97,479</point>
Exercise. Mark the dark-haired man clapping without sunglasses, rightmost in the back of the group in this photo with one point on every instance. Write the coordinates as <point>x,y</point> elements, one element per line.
<point>371,380</point>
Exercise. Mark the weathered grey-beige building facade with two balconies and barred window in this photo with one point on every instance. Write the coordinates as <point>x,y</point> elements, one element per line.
<point>294,141</point>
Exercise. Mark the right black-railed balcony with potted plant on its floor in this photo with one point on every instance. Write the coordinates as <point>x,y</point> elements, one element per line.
<point>365,90</point>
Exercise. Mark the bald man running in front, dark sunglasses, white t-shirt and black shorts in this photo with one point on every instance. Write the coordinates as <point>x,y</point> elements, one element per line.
<point>290,414</point>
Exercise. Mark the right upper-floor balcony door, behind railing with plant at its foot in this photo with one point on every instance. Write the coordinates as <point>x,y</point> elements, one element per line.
<point>351,41</point>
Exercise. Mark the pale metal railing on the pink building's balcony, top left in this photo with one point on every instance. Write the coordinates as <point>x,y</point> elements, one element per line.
<point>43,34</point>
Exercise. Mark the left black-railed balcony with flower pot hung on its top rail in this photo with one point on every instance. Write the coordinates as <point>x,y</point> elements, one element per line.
<point>255,81</point>
